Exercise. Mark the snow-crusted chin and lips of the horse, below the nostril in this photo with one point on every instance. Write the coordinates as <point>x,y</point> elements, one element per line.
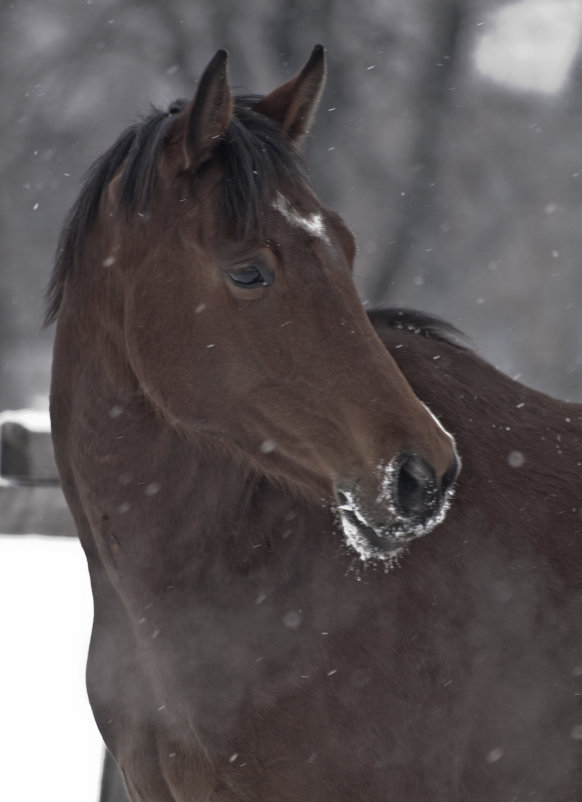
<point>387,541</point>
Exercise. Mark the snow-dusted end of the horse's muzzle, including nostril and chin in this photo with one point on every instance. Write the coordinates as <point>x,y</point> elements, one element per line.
<point>408,502</point>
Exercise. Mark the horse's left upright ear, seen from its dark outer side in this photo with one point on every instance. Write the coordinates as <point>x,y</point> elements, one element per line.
<point>207,114</point>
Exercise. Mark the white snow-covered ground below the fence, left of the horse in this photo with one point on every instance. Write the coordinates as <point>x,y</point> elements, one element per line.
<point>51,749</point>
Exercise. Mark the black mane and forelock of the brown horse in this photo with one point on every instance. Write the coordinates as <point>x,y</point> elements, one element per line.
<point>254,153</point>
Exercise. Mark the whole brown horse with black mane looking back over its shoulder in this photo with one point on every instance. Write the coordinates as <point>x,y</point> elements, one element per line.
<point>297,595</point>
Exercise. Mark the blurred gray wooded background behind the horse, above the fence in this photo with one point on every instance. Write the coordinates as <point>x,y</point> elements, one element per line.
<point>463,189</point>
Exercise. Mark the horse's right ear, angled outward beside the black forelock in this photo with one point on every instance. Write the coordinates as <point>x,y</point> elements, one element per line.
<point>293,105</point>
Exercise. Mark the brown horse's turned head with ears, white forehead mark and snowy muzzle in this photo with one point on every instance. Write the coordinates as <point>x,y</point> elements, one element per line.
<point>232,305</point>
